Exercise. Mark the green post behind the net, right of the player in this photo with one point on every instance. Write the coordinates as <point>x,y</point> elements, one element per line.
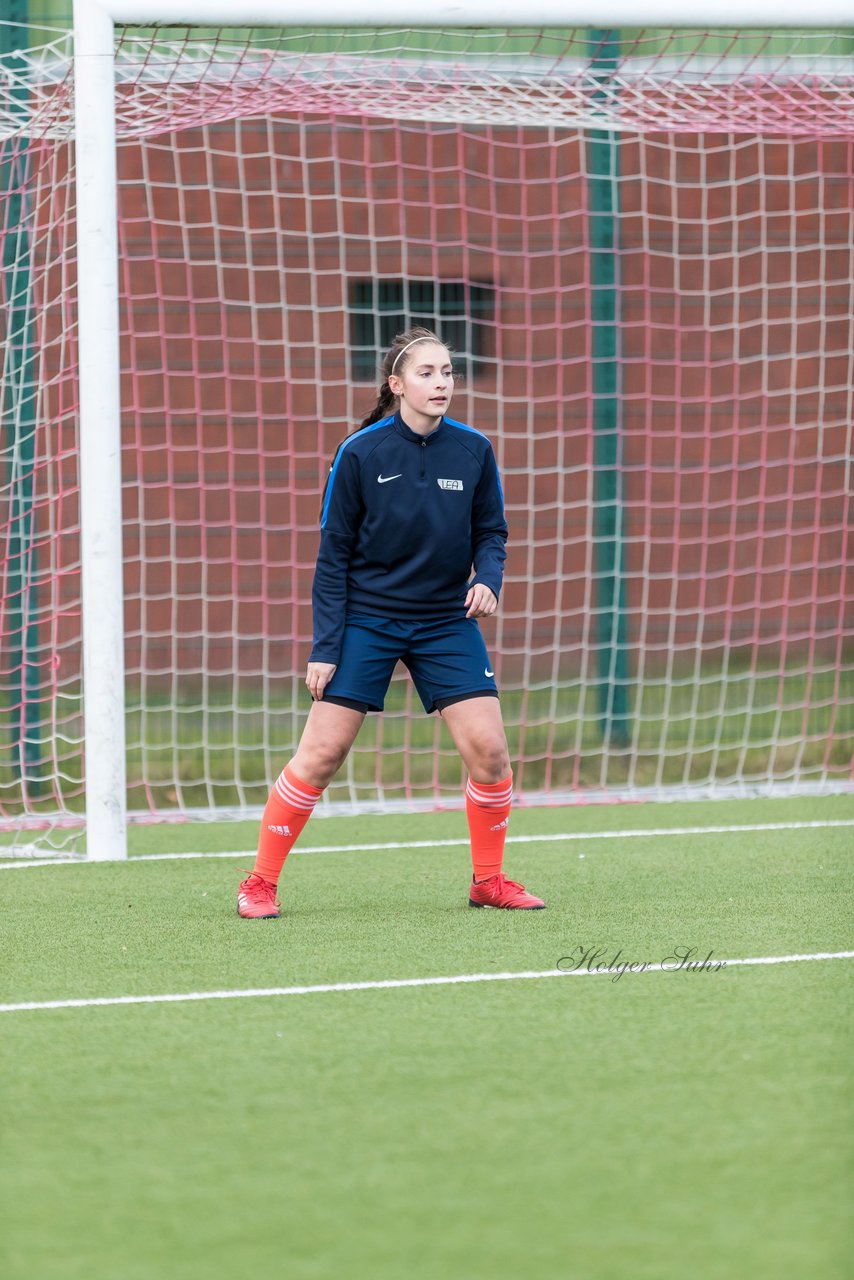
<point>610,587</point>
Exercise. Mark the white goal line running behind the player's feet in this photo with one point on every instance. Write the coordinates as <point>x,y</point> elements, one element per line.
<point>637,834</point>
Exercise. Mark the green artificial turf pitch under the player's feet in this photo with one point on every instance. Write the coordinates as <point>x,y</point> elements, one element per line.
<point>660,1126</point>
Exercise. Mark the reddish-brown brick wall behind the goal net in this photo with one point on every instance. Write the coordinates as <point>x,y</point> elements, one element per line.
<point>736,269</point>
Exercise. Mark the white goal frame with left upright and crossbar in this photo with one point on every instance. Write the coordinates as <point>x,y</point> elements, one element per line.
<point>95,22</point>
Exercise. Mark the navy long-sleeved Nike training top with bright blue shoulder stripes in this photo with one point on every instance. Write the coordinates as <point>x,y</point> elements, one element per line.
<point>405,518</point>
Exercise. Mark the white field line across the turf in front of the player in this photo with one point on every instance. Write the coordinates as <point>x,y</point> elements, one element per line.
<point>396,984</point>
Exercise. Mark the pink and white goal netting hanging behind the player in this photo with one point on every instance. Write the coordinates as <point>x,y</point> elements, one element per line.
<point>245,245</point>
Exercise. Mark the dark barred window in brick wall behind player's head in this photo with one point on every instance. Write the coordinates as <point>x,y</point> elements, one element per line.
<point>462,313</point>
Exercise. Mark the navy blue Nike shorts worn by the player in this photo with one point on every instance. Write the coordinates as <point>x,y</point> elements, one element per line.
<point>447,661</point>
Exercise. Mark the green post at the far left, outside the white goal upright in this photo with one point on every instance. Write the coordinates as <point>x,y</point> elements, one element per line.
<point>19,409</point>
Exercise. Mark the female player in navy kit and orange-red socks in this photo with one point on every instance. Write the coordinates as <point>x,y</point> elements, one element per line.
<point>412,504</point>
